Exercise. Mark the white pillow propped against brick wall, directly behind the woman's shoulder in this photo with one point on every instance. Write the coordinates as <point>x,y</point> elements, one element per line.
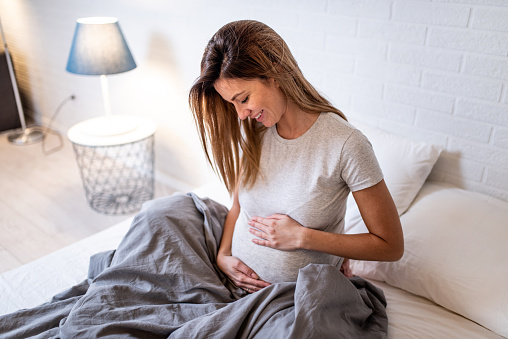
<point>406,165</point>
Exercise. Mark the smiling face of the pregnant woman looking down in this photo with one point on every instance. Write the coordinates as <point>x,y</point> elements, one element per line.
<point>256,99</point>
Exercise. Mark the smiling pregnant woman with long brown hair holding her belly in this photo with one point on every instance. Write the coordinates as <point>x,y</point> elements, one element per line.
<point>290,159</point>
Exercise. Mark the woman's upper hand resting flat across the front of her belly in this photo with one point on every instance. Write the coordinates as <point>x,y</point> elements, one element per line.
<point>277,231</point>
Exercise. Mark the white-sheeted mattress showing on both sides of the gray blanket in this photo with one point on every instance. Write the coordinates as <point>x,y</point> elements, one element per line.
<point>27,286</point>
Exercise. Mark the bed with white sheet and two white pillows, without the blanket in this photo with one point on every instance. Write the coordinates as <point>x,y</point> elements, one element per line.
<point>450,283</point>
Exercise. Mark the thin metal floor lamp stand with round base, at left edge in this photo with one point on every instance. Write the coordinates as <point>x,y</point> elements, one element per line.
<point>27,135</point>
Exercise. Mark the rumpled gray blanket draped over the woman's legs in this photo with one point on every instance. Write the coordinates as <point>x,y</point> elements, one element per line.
<point>162,282</point>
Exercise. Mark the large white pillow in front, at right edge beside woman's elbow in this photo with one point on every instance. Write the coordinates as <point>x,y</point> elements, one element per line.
<point>456,255</point>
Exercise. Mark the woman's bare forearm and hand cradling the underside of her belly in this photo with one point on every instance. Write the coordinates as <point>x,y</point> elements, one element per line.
<point>241,275</point>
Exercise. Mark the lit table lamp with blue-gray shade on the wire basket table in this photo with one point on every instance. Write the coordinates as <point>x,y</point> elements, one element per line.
<point>99,48</point>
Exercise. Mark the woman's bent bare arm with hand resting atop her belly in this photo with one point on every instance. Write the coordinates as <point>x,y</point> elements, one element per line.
<point>384,242</point>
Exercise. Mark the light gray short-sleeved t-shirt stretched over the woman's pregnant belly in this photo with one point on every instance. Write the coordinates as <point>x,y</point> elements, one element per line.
<point>308,179</point>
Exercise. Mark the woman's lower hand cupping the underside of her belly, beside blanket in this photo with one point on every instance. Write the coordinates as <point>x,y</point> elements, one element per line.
<point>241,275</point>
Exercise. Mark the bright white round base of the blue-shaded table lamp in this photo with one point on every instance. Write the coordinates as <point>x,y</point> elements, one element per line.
<point>108,126</point>
